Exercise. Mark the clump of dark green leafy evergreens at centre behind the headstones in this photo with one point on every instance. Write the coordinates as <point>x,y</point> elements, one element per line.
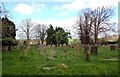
<point>57,36</point>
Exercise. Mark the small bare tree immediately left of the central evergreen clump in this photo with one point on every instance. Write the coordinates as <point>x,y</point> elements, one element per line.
<point>41,32</point>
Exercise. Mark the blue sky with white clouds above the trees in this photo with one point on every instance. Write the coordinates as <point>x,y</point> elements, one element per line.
<point>59,13</point>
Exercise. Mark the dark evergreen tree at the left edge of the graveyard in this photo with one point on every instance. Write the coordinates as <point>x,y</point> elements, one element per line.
<point>8,32</point>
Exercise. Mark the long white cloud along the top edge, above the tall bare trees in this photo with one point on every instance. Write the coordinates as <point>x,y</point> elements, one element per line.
<point>80,4</point>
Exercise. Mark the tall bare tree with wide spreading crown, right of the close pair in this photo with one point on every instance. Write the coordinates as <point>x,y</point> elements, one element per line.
<point>101,23</point>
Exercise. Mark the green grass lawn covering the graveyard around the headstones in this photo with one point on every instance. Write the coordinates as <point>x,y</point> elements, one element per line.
<point>77,65</point>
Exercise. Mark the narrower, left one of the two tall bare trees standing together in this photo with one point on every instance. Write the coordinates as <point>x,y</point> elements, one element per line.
<point>84,25</point>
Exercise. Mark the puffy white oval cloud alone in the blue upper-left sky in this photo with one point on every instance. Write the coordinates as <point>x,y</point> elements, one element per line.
<point>24,9</point>
